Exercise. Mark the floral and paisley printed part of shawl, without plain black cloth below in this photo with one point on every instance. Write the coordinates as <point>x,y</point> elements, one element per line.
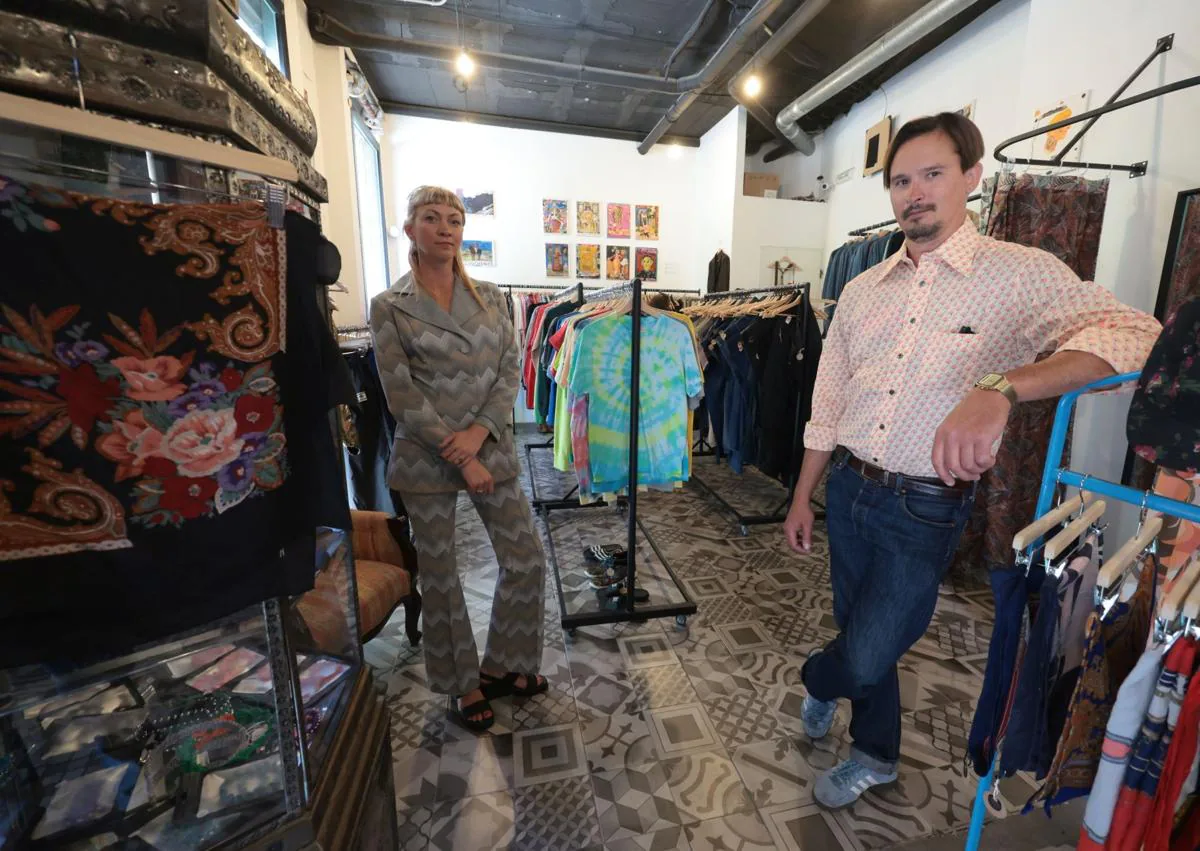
<point>137,386</point>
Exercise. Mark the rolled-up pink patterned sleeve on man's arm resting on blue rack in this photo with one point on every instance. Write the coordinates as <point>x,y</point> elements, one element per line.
<point>1083,316</point>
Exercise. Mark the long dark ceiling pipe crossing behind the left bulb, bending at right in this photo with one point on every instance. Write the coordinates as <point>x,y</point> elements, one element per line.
<point>329,31</point>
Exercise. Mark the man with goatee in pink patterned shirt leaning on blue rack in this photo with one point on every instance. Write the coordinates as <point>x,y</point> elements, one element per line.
<point>923,362</point>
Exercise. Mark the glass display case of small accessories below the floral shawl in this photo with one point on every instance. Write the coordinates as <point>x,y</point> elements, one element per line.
<point>213,738</point>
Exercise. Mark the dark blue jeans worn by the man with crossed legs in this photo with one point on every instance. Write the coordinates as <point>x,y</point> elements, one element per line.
<point>889,552</point>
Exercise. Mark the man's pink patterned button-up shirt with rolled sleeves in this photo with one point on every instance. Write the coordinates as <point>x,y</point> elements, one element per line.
<point>896,362</point>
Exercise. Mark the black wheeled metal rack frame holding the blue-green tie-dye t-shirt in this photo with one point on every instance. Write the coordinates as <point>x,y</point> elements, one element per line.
<point>627,608</point>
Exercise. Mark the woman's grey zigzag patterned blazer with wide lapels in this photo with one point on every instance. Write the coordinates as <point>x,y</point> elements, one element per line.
<point>441,374</point>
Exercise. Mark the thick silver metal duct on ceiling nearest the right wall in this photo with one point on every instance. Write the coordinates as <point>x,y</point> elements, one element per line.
<point>901,38</point>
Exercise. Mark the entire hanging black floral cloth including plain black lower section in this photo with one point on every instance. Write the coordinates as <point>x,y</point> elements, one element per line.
<point>143,450</point>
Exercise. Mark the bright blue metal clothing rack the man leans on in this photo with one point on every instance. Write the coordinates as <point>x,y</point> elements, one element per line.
<point>1054,476</point>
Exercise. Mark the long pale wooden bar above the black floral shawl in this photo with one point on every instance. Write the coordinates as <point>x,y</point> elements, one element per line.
<point>75,122</point>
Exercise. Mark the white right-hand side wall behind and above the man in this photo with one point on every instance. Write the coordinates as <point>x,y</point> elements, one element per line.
<point>1018,57</point>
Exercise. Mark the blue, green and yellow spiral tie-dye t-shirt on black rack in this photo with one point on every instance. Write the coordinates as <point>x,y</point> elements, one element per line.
<point>601,370</point>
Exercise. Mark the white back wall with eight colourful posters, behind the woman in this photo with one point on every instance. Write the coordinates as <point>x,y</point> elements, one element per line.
<point>523,167</point>
